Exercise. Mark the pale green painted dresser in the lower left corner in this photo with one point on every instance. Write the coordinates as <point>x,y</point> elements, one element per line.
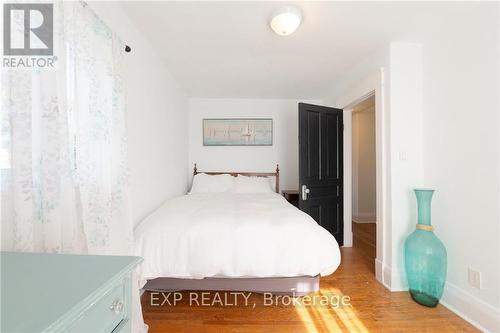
<point>43,292</point>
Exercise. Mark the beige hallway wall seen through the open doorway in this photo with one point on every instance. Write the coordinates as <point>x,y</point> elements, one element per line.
<point>363,165</point>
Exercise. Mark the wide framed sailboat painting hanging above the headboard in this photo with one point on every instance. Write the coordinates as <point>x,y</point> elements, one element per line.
<point>237,132</point>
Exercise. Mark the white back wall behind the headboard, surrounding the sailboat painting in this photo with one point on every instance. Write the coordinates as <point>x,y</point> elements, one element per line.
<point>284,150</point>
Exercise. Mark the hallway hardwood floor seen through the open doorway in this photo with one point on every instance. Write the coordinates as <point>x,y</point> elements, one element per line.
<point>364,238</point>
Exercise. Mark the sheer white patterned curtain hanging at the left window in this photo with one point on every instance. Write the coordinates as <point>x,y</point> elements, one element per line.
<point>64,175</point>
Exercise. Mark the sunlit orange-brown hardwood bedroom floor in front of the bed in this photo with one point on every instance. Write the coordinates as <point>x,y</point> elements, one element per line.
<point>372,309</point>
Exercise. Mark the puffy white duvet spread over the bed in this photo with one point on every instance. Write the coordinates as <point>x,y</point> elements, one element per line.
<point>233,235</point>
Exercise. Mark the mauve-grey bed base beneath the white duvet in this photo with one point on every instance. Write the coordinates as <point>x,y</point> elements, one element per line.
<point>294,286</point>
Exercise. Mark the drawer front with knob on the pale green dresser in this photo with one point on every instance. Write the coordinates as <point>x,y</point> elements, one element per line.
<point>106,313</point>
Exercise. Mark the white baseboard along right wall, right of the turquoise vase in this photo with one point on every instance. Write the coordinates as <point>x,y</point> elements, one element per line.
<point>474,310</point>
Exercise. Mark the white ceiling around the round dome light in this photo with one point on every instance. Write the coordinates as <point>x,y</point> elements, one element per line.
<point>226,49</point>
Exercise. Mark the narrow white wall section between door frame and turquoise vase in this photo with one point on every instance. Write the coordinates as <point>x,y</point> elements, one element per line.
<point>406,157</point>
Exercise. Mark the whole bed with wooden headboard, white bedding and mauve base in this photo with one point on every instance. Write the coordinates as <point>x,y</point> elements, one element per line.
<point>234,237</point>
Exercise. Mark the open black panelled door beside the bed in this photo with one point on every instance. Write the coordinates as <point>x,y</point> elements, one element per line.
<point>321,166</point>
